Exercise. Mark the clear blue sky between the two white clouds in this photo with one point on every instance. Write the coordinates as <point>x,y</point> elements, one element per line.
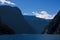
<point>27,6</point>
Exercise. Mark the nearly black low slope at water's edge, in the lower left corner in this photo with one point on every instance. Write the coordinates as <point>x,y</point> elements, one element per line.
<point>4,29</point>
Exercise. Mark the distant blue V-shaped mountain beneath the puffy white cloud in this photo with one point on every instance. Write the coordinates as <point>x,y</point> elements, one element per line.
<point>37,23</point>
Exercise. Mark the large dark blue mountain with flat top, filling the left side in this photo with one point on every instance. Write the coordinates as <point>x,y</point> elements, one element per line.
<point>13,17</point>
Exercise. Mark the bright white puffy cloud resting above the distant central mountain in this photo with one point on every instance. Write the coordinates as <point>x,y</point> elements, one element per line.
<point>43,14</point>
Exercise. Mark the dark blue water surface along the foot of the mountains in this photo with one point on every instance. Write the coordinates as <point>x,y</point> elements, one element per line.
<point>29,37</point>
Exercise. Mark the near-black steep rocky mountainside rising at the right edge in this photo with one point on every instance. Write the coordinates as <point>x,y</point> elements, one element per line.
<point>54,25</point>
